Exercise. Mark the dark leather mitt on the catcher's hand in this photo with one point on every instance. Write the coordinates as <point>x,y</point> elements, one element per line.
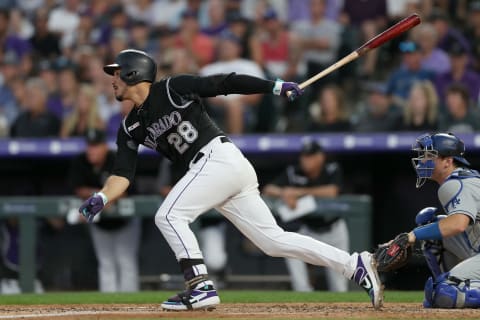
<point>393,255</point>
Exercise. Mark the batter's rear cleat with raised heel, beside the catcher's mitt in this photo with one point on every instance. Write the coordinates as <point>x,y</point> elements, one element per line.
<point>366,276</point>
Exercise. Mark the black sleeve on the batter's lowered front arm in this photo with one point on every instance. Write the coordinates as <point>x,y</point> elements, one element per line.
<point>126,157</point>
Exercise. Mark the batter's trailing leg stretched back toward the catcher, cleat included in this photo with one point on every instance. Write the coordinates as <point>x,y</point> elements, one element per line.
<point>249,213</point>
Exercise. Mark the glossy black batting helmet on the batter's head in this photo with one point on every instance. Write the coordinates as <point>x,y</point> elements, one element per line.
<point>135,66</point>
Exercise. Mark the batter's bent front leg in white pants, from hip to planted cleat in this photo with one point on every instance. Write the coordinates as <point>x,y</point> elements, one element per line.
<point>190,197</point>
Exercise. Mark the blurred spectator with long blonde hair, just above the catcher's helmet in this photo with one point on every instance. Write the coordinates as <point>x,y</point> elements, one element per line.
<point>421,110</point>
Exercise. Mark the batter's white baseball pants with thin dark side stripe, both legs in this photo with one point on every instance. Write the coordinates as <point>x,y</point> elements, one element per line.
<point>224,179</point>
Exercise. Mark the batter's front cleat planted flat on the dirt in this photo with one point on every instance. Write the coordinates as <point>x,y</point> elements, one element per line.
<point>205,297</point>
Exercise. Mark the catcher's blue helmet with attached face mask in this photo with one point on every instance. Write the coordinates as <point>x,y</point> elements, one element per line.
<point>430,146</point>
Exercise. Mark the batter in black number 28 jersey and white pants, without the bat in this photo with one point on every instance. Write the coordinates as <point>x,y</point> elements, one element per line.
<point>168,117</point>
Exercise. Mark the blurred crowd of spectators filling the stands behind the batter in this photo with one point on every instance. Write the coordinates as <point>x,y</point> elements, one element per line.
<point>52,52</point>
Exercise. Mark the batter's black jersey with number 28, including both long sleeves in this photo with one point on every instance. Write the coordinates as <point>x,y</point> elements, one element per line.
<point>173,121</point>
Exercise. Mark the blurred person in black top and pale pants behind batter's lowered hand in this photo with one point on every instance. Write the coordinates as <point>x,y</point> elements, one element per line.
<point>115,240</point>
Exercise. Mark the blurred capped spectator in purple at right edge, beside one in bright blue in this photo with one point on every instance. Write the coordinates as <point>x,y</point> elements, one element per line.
<point>459,73</point>
